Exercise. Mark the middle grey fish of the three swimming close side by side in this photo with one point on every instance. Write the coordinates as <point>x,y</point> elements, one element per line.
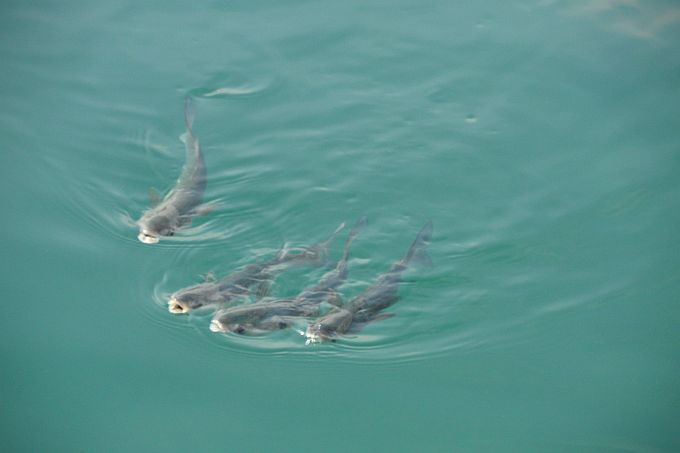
<point>265,316</point>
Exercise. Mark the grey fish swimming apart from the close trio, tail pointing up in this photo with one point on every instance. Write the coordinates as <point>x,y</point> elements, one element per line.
<point>183,201</point>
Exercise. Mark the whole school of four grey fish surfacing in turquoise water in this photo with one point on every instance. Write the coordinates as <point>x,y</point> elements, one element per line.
<point>319,307</point>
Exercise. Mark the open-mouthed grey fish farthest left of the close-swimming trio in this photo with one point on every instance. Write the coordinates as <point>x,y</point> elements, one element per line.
<point>213,293</point>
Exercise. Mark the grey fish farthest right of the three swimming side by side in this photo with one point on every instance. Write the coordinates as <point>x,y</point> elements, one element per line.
<point>368,305</point>
